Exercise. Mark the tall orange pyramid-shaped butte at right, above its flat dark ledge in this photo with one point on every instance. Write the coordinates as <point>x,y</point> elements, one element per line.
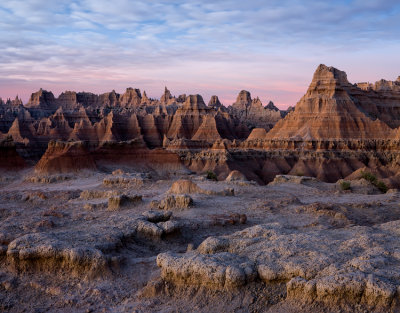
<point>329,110</point>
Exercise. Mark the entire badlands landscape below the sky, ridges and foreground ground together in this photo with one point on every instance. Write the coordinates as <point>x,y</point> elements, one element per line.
<point>121,203</point>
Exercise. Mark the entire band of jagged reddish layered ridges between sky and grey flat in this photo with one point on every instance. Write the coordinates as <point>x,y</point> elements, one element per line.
<point>336,129</point>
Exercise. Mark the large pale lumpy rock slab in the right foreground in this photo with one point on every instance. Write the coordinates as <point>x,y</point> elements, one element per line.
<point>343,265</point>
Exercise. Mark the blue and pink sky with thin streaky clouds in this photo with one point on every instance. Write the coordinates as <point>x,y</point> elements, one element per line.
<point>270,48</point>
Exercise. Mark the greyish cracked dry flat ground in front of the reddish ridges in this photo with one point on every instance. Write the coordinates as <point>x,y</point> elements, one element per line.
<point>305,247</point>
